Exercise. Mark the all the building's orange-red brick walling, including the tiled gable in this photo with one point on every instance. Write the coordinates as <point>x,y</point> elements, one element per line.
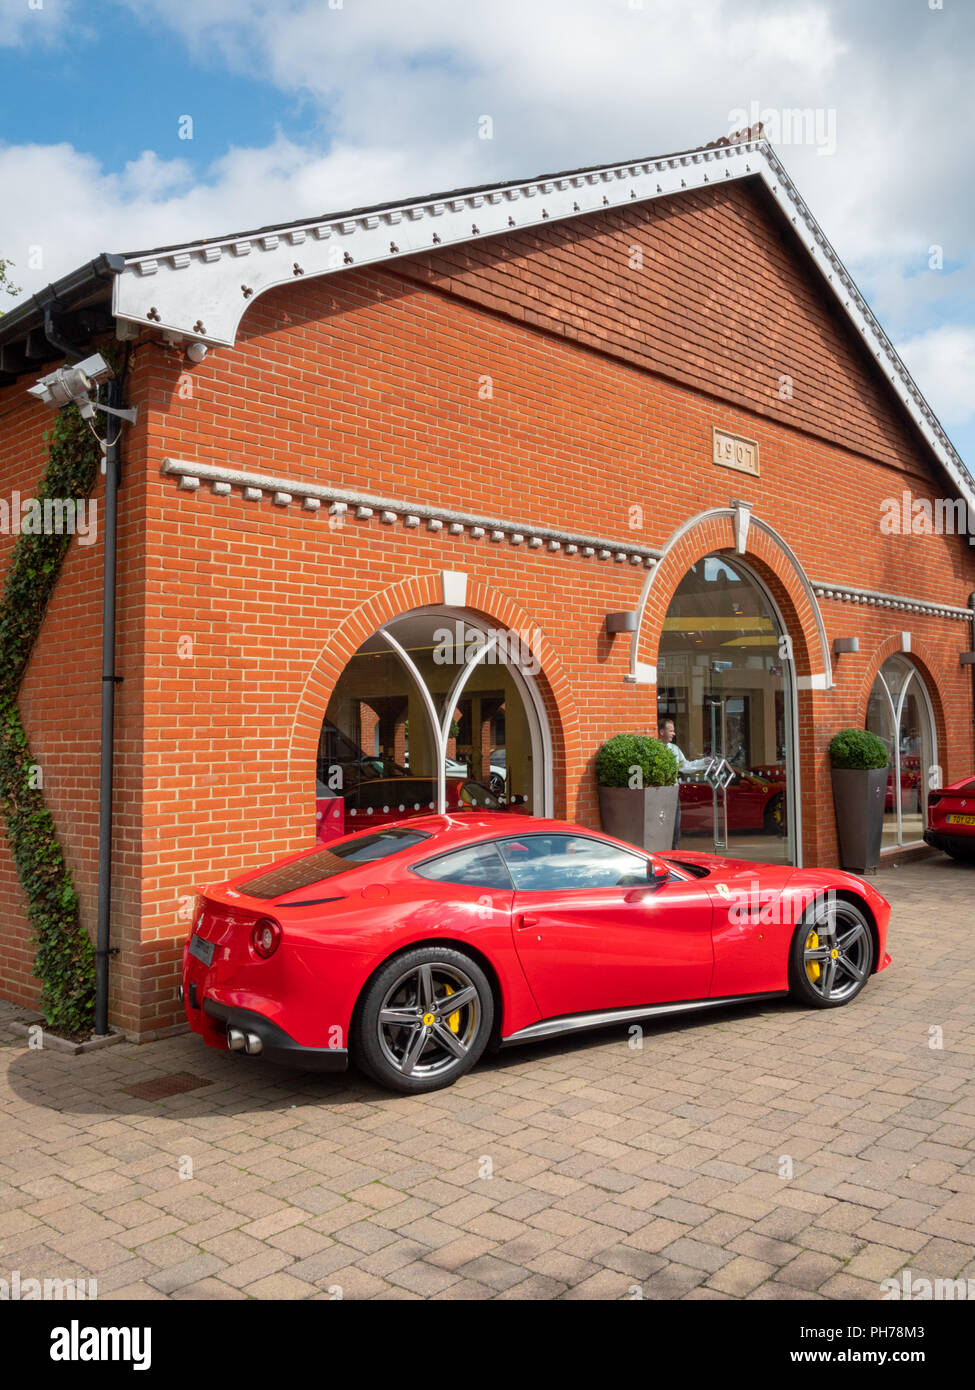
<point>237,616</point>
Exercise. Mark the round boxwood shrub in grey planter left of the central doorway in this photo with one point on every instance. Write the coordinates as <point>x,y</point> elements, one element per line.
<point>638,779</point>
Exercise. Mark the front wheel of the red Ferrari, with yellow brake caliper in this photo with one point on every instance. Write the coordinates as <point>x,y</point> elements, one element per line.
<point>832,954</point>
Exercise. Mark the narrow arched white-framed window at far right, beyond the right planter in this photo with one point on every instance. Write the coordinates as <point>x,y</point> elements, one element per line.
<point>899,712</point>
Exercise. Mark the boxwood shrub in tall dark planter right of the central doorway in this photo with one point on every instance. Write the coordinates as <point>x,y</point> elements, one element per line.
<point>860,787</point>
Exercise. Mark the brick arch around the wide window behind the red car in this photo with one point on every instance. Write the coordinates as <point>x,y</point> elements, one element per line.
<point>426,591</point>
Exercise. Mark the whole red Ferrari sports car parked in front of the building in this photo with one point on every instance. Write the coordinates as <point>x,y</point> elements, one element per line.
<point>411,949</point>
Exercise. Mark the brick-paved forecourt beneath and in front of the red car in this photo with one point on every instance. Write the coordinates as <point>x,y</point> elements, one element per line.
<point>614,1171</point>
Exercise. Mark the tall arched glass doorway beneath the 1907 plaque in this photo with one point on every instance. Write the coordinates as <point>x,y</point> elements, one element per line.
<point>727,680</point>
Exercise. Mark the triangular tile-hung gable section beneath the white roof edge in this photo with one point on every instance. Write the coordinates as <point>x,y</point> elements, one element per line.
<point>711,288</point>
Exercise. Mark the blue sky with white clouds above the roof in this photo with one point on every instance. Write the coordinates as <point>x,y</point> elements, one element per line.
<point>308,106</point>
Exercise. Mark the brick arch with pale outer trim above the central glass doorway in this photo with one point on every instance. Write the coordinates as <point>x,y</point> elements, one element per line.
<point>767,555</point>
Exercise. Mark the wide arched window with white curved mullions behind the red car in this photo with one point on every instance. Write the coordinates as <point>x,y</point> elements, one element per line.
<point>436,711</point>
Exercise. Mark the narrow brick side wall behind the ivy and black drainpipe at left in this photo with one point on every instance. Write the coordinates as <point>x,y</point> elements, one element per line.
<point>61,707</point>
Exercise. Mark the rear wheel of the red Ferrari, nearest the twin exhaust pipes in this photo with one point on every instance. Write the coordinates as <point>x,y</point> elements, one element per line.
<point>425,1020</point>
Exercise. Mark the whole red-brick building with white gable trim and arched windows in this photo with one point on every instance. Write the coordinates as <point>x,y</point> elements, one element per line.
<point>643,390</point>
